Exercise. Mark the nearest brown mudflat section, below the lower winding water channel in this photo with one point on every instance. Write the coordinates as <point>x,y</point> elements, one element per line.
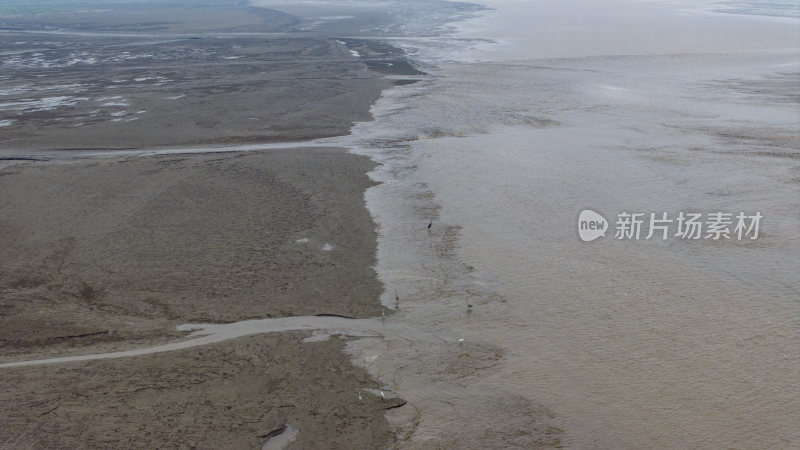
<point>227,395</point>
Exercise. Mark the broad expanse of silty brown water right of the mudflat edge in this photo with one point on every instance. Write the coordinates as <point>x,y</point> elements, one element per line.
<point>612,344</point>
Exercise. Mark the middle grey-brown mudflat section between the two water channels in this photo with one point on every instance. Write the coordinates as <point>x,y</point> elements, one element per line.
<point>110,251</point>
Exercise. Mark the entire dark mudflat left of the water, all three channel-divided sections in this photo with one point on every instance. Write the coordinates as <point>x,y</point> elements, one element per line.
<point>112,252</point>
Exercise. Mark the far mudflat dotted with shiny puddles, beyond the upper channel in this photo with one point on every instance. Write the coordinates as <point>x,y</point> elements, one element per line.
<point>123,77</point>
